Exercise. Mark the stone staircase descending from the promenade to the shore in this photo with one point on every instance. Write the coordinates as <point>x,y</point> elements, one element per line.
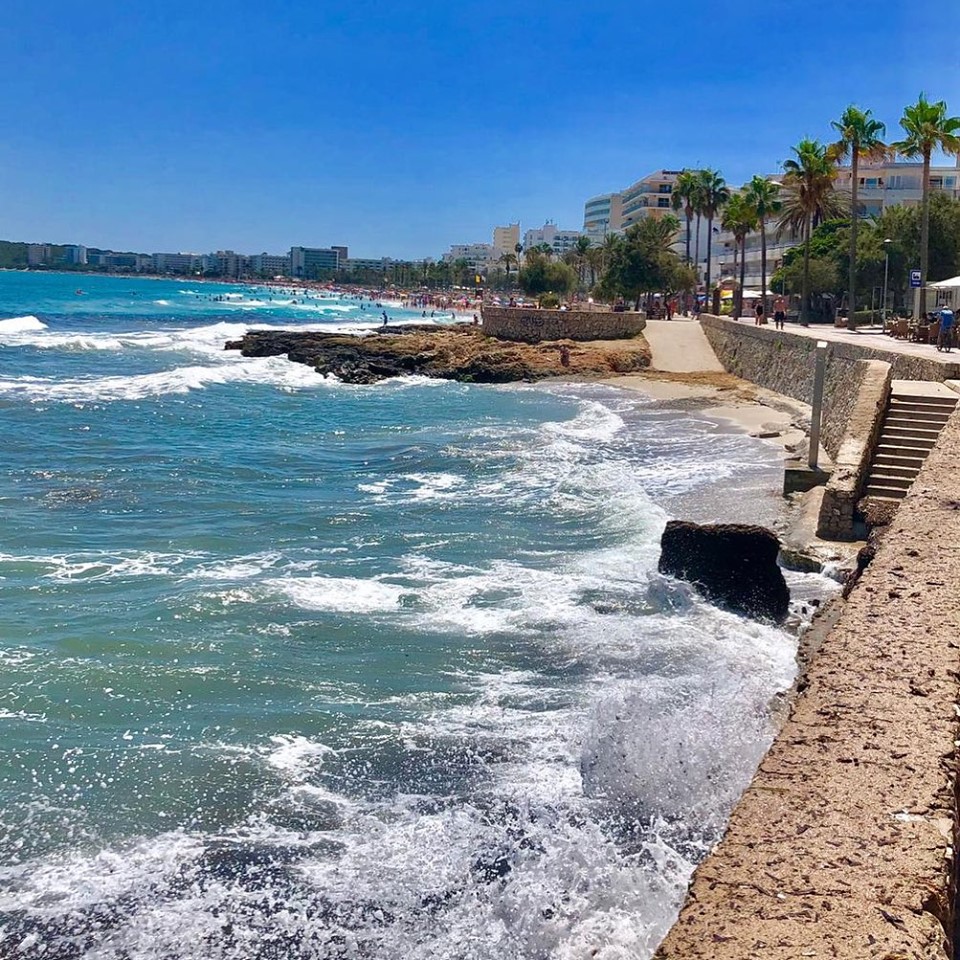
<point>915,415</point>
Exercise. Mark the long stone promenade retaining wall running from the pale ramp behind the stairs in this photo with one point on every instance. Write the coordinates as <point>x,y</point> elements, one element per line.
<point>782,361</point>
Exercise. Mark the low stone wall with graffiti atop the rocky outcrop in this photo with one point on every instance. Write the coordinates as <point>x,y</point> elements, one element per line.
<point>532,326</point>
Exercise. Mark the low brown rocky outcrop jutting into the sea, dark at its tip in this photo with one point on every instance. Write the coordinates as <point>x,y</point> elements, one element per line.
<point>458,352</point>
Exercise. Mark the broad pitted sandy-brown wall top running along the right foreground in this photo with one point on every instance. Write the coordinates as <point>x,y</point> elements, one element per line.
<point>843,845</point>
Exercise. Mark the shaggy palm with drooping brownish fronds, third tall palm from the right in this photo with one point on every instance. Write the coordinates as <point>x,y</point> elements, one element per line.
<point>808,195</point>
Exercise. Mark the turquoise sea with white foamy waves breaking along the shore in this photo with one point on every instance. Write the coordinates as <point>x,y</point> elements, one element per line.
<point>297,669</point>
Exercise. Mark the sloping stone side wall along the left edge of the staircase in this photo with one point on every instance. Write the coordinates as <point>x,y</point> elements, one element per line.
<point>852,461</point>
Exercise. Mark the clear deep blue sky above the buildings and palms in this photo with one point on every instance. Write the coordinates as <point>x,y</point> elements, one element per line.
<point>398,128</point>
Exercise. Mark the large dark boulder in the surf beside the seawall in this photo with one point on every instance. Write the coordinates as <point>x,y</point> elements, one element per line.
<point>734,565</point>
